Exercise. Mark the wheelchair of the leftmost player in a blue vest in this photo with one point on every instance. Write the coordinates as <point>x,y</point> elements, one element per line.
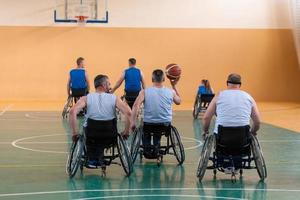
<point>72,99</point>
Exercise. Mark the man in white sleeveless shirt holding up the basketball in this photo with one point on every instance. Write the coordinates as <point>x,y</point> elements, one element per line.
<point>158,101</point>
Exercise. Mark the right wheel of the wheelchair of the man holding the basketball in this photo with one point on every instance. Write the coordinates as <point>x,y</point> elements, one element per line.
<point>177,145</point>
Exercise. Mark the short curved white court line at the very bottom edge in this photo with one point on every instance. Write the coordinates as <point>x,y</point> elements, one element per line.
<point>161,195</point>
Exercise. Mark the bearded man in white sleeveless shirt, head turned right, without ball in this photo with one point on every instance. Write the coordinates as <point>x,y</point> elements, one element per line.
<point>100,125</point>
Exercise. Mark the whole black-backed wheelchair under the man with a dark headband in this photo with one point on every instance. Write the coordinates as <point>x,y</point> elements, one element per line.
<point>234,150</point>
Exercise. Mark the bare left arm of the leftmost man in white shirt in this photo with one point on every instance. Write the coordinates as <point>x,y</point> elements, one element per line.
<point>73,115</point>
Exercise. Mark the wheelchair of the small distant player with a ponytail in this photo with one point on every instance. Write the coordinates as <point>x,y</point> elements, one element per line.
<point>201,103</point>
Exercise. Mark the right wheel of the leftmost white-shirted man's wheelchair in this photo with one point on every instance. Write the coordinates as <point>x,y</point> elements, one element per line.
<point>124,155</point>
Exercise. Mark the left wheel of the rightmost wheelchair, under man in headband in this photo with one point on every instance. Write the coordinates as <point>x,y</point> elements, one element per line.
<point>204,156</point>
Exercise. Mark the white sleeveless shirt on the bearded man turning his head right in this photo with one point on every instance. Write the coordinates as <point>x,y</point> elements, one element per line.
<point>101,106</point>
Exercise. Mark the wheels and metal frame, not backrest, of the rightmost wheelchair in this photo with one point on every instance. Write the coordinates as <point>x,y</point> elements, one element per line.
<point>255,155</point>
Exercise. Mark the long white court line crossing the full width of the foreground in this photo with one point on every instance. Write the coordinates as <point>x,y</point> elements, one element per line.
<point>148,189</point>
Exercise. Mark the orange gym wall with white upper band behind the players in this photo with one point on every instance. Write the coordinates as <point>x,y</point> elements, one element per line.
<point>208,38</point>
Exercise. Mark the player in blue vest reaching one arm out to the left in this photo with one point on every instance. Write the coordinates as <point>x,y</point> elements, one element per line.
<point>134,82</point>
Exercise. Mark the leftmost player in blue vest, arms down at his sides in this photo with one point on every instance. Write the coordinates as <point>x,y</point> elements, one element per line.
<point>78,83</point>
